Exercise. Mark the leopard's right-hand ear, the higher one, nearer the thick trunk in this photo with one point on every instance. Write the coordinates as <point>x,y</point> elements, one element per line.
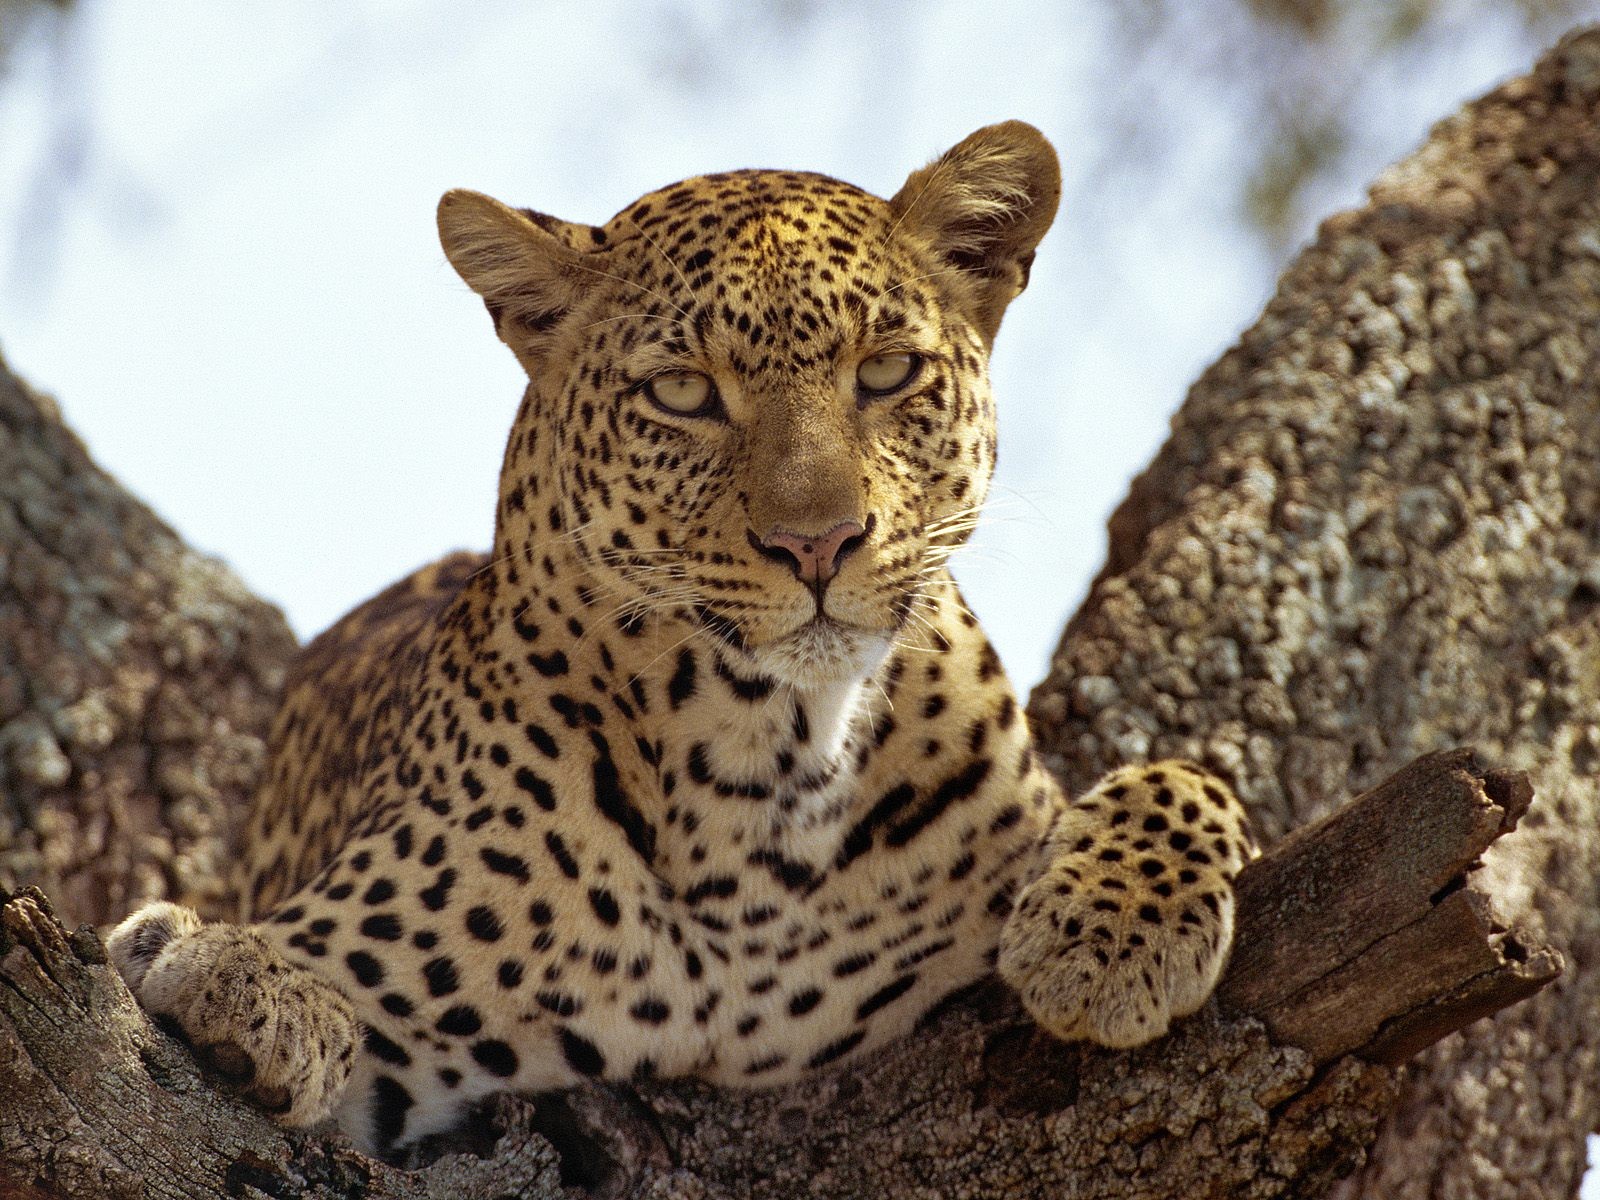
<point>983,207</point>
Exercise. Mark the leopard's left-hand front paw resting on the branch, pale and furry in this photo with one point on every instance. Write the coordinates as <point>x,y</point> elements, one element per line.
<point>273,1031</point>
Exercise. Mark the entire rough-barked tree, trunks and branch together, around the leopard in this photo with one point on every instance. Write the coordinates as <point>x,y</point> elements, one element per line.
<point>1374,534</point>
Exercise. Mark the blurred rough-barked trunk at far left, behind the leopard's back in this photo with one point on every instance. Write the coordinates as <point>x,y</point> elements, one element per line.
<point>137,682</point>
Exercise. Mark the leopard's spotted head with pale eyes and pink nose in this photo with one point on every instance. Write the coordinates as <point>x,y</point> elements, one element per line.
<point>759,401</point>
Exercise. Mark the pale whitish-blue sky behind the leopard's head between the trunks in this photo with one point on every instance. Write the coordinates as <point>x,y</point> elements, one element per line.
<point>225,260</point>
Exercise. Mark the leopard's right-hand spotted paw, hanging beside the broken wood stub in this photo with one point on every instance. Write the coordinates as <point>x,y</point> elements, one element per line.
<point>1132,922</point>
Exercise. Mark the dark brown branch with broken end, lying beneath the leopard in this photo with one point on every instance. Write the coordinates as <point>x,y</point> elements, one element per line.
<point>1394,870</point>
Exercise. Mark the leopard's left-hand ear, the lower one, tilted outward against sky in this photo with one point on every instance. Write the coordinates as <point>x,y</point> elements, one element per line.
<point>527,268</point>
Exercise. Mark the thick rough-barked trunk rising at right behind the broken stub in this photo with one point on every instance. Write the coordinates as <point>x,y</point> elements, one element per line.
<point>1375,532</point>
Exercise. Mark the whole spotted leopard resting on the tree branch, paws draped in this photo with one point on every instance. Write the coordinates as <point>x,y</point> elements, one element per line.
<point>705,769</point>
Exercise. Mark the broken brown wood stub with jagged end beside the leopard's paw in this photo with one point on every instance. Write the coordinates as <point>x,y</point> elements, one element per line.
<point>1367,934</point>
